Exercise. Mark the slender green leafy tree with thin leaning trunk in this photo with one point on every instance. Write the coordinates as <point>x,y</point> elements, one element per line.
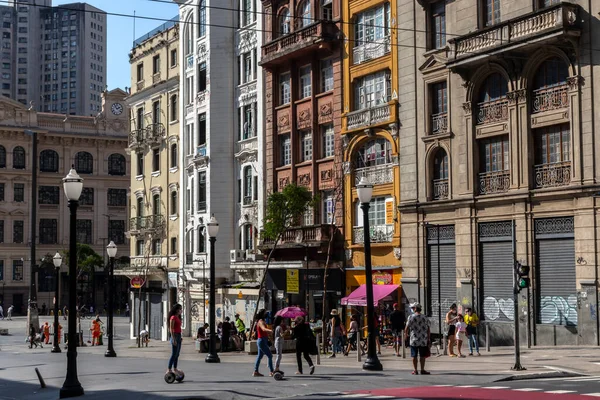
<point>283,211</point>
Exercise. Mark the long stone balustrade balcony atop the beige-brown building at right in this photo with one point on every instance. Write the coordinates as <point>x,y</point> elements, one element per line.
<point>553,23</point>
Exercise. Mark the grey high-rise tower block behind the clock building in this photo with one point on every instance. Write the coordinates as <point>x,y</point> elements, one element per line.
<point>53,58</point>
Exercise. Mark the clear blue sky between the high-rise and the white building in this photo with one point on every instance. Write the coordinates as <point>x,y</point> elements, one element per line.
<point>121,33</point>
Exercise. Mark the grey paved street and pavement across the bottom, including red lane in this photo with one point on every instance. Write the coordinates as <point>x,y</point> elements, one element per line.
<point>138,373</point>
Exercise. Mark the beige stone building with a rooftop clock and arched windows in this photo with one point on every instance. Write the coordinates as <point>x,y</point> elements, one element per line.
<point>96,147</point>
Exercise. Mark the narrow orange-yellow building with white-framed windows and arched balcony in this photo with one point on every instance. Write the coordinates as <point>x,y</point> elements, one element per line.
<point>370,137</point>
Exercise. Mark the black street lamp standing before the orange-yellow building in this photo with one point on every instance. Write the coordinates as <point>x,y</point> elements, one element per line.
<point>365,192</point>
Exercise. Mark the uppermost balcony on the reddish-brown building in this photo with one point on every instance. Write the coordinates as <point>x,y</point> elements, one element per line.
<point>299,43</point>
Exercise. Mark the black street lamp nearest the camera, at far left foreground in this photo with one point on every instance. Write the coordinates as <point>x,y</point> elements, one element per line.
<point>73,185</point>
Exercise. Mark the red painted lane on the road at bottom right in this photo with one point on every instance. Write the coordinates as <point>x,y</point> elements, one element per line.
<point>458,393</point>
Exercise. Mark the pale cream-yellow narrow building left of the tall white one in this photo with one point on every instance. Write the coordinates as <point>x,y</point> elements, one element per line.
<point>155,170</point>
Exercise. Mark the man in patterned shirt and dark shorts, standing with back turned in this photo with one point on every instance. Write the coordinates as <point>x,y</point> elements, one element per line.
<point>418,333</point>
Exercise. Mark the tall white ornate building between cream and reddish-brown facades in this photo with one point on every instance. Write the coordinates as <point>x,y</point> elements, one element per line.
<point>222,124</point>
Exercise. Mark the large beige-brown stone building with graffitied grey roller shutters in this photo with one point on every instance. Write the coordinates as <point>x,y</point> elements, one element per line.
<point>498,125</point>
